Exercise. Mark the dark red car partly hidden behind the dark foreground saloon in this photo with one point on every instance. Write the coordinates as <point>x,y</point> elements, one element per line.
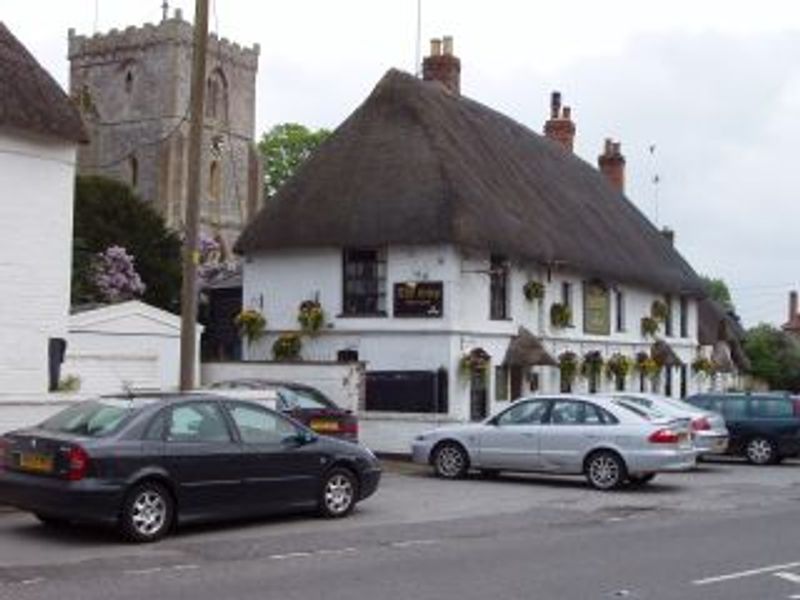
<point>302,402</point>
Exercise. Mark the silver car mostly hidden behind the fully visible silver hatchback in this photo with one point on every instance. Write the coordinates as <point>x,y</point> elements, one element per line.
<point>709,433</point>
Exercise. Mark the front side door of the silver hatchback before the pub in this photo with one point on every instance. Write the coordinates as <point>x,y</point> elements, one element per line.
<point>510,441</point>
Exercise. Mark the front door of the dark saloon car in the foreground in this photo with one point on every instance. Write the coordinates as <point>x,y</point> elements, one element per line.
<point>281,463</point>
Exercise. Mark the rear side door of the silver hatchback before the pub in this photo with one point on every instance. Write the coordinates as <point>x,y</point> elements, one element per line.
<point>573,427</point>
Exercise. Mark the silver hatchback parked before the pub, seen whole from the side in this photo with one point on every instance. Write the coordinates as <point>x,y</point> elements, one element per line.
<point>605,439</point>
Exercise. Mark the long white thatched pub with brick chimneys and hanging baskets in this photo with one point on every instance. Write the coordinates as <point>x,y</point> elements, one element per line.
<point>416,228</point>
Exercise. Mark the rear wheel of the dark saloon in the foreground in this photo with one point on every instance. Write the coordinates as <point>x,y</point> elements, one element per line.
<point>147,513</point>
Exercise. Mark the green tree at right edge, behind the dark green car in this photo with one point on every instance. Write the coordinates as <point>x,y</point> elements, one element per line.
<point>775,356</point>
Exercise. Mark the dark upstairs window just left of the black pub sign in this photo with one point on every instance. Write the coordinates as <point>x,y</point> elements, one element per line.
<point>380,266</point>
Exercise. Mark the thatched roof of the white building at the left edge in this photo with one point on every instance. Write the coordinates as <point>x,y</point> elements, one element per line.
<point>30,99</point>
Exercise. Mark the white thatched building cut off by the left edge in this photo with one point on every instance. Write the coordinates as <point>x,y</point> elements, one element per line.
<point>39,134</point>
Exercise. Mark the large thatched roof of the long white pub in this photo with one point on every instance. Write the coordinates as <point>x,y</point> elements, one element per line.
<point>415,164</point>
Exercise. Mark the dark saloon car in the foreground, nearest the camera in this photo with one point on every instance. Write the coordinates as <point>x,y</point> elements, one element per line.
<point>149,462</point>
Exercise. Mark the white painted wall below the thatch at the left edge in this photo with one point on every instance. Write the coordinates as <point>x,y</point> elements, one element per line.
<point>37,179</point>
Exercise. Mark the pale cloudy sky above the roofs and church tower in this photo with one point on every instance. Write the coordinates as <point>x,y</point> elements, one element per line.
<point>713,85</point>
